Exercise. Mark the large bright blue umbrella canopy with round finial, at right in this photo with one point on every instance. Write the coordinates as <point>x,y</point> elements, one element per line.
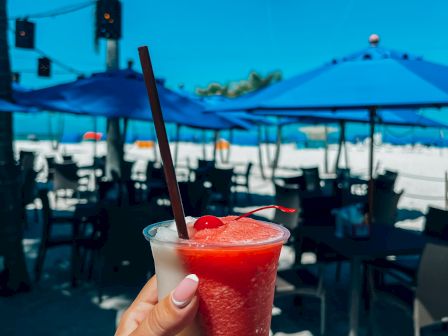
<point>374,77</point>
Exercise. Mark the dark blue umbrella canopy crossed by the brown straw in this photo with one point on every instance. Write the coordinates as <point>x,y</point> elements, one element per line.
<point>122,93</point>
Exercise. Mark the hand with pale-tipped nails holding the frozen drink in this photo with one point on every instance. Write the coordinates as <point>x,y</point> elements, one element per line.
<point>148,317</point>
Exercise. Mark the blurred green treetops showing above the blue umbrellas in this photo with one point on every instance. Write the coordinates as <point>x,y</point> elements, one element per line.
<point>254,82</point>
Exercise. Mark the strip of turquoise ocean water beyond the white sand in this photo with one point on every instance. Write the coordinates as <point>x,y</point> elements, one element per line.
<point>68,128</point>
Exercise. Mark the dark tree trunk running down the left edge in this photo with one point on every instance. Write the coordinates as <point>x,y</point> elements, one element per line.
<point>14,277</point>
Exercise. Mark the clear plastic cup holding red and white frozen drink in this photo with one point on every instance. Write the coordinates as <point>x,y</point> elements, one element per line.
<point>236,280</point>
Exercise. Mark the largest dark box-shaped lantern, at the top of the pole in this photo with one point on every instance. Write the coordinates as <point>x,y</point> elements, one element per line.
<point>108,19</point>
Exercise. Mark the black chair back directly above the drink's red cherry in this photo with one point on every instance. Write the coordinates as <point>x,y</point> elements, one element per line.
<point>221,181</point>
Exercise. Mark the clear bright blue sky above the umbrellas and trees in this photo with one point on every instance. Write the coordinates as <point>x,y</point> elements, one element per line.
<point>198,41</point>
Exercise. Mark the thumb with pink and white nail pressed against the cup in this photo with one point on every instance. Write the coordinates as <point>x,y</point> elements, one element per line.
<point>175,312</point>
